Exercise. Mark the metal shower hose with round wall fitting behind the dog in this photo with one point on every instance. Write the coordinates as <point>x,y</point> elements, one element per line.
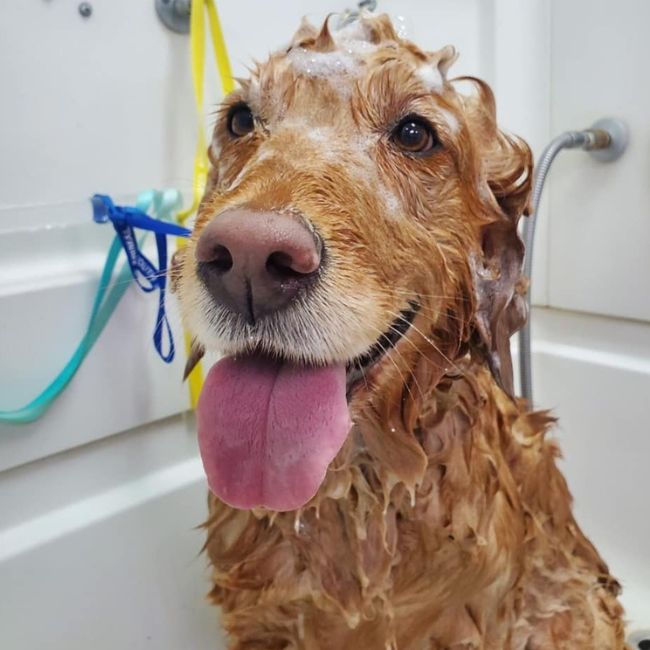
<point>606,141</point>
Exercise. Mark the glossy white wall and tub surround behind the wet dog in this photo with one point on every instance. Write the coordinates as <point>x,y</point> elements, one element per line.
<point>99,499</point>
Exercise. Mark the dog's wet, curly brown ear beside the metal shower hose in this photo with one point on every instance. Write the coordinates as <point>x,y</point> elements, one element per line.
<point>504,168</point>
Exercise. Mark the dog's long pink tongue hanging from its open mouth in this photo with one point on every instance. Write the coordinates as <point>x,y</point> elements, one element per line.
<point>268,430</point>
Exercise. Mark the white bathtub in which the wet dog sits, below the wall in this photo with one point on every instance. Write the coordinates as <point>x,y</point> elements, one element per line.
<point>98,547</point>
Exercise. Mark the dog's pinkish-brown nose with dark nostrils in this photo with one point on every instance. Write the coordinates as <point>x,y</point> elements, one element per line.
<point>255,262</point>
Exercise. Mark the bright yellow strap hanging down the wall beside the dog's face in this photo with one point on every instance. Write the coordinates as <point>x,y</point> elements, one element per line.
<point>201,163</point>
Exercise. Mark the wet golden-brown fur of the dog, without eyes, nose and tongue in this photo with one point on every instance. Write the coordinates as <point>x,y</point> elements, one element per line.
<point>444,522</point>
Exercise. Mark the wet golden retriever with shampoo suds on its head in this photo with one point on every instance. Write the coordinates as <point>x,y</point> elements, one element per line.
<point>374,482</point>
